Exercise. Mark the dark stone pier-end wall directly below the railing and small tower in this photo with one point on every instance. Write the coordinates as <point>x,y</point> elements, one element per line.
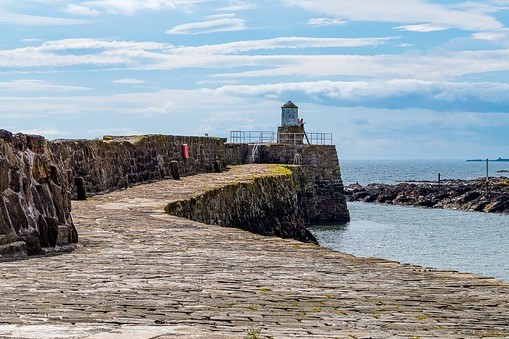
<point>323,187</point>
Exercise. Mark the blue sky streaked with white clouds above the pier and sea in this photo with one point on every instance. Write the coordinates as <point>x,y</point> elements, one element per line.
<point>391,79</point>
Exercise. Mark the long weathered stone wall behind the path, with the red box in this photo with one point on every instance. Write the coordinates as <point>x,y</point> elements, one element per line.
<point>120,162</point>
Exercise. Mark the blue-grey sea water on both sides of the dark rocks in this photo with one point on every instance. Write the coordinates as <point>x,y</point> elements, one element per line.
<point>470,242</point>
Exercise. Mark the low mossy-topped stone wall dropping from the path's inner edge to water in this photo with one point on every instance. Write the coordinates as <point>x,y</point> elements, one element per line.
<point>267,205</point>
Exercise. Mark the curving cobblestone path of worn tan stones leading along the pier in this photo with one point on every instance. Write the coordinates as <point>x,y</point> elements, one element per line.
<point>139,273</point>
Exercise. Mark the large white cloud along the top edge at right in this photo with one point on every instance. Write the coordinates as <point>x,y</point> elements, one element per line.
<point>397,11</point>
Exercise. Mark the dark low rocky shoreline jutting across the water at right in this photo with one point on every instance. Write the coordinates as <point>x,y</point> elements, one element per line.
<point>480,195</point>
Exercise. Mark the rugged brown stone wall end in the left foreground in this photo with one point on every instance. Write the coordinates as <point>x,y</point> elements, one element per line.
<point>35,206</point>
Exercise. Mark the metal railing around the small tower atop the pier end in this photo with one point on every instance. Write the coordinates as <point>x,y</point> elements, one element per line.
<point>266,137</point>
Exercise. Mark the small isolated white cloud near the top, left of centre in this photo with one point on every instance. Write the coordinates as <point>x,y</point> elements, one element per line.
<point>221,24</point>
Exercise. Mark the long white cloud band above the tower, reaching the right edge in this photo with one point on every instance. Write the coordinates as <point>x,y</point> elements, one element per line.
<point>424,67</point>
